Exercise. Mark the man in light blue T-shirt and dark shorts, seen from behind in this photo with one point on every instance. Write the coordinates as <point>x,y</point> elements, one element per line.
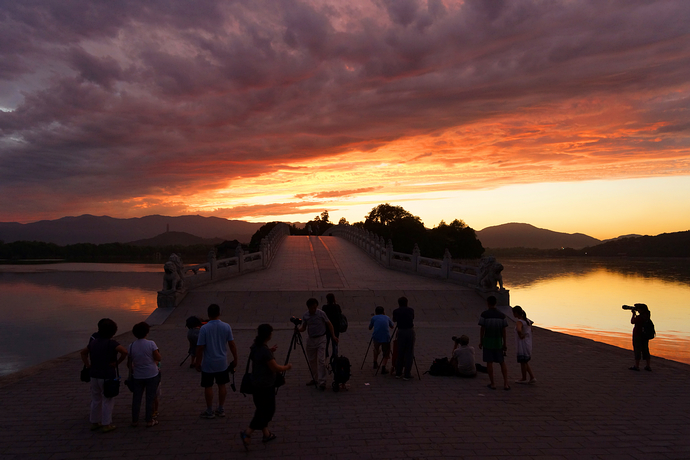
<point>212,359</point>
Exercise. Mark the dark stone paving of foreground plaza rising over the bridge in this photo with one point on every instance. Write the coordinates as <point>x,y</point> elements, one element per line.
<point>586,403</point>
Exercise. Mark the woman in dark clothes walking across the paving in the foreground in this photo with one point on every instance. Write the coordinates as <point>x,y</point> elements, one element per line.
<point>264,370</point>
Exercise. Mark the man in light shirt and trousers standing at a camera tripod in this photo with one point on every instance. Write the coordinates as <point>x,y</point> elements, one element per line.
<point>317,324</point>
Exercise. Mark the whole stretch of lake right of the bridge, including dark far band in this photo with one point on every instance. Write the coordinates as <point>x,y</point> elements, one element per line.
<point>584,298</point>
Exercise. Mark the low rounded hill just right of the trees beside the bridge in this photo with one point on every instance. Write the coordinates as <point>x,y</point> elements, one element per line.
<point>516,235</point>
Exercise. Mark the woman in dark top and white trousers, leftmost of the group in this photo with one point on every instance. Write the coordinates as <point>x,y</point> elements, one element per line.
<point>101,358</point>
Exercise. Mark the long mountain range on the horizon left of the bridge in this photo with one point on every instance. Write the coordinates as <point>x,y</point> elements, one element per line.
<point>104,229</point>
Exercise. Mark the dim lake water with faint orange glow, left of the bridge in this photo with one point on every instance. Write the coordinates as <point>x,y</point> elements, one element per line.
<point>46,313</point>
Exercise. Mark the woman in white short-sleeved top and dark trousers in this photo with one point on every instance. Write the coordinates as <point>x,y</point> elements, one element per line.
<point>143,360</point>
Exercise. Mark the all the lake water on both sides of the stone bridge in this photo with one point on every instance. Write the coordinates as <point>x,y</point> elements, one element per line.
<point>50,310</point>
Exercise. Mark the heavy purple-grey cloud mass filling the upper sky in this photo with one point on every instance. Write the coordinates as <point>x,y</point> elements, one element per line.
<point>121,99</point>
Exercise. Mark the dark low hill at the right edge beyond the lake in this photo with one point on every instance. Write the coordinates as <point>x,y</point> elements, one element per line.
<point>665,245</point>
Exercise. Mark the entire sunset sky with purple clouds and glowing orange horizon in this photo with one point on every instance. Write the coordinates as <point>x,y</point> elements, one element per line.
<point>569,115</point>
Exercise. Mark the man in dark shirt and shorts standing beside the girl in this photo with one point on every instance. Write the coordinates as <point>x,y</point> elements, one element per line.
<point>492,340</point>
